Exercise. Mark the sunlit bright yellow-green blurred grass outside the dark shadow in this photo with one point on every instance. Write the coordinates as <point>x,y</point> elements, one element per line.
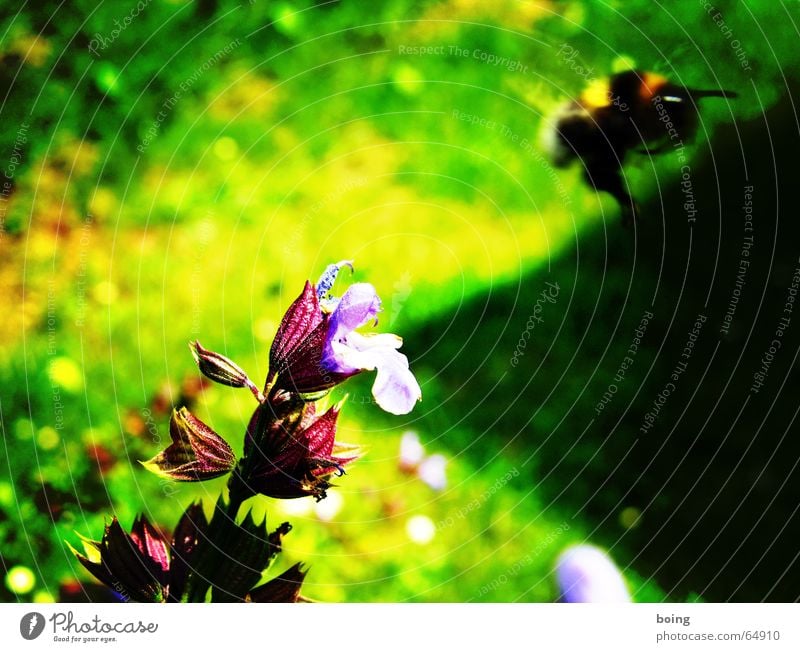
<point>313,140</point>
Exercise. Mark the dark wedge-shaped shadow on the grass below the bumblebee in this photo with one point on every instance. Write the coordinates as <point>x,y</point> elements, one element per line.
<point>716,474</point>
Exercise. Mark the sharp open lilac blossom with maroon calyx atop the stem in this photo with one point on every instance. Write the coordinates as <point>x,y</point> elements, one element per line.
<point>318,346</point>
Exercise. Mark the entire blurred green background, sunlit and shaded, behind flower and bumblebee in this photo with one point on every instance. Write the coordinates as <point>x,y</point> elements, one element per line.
<point>176,170</point>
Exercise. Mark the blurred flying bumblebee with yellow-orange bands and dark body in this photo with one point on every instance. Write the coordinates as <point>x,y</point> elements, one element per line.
<point>632,110</point>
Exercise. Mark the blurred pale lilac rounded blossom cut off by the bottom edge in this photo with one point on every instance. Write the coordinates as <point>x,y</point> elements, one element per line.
<point>587,574</point>
